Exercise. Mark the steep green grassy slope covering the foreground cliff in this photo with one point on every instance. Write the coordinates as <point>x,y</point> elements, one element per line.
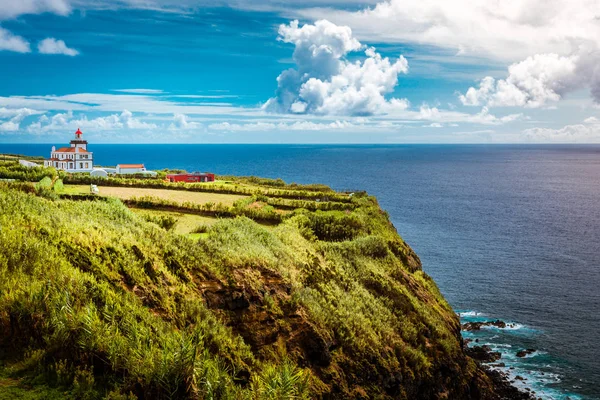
<point>96,301</point>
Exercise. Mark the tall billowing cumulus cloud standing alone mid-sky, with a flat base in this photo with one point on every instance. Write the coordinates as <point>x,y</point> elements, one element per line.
<point>324,82</point>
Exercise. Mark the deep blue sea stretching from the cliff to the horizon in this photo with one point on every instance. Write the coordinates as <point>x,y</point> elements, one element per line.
<point>507,232</point>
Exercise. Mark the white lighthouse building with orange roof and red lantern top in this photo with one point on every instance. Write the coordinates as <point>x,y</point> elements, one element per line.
<point>75,158</point>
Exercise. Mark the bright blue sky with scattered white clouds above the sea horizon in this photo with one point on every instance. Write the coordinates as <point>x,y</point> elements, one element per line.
<point>311,71</point>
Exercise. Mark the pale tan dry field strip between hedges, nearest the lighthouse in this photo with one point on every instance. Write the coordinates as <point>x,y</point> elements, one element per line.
<point>126,193</point>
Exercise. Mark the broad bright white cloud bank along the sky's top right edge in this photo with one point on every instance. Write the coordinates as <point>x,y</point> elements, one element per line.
<point>505,30</point>
